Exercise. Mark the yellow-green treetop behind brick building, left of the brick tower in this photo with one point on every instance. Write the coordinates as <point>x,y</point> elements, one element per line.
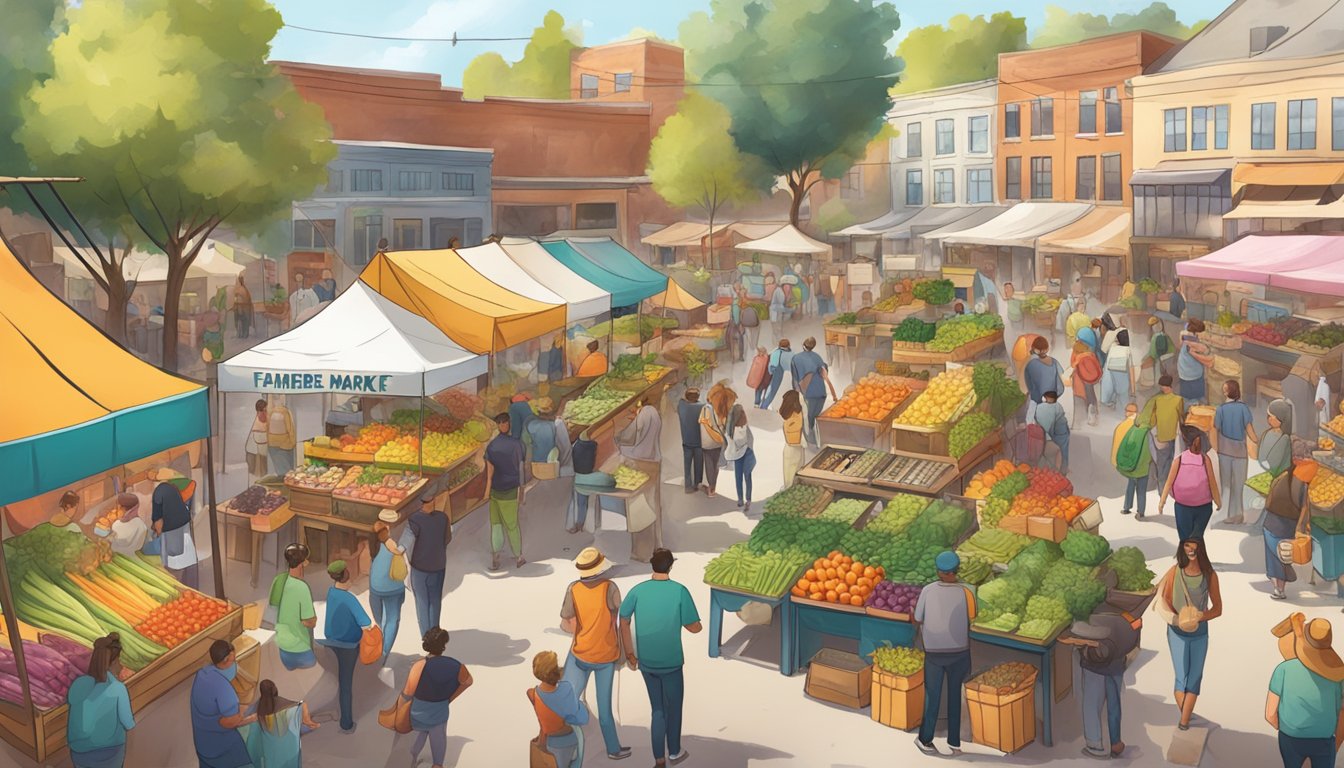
<point>542,73</point>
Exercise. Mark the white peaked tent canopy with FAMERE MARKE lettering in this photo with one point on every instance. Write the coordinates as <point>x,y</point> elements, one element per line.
<point>361,344</point>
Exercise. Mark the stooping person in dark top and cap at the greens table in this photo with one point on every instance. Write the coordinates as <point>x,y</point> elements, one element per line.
<point>1105,641</point>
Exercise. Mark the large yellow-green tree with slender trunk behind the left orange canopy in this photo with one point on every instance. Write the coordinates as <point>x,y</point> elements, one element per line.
<point>171,112</point>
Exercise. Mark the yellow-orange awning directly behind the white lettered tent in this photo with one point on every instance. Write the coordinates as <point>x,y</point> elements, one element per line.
<point>471,310</point>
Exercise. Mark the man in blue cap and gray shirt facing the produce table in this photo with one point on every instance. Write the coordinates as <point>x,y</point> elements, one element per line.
<point>943,618</point>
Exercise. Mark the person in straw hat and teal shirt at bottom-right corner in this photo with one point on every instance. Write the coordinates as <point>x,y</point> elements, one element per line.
<point>1306,701</point>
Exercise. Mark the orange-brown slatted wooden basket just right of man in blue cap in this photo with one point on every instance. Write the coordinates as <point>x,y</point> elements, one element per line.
<point>1002,705</point>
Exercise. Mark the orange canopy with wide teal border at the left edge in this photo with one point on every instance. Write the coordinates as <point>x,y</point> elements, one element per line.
<point>73,403</point>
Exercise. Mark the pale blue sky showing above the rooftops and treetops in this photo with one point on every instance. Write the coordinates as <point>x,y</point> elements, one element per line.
<point>599,22</point>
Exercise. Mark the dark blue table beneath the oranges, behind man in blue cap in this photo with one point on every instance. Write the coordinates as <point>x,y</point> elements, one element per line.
<point>812,621</point>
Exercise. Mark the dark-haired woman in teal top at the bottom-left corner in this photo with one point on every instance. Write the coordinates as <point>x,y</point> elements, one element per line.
<point>100,711</point>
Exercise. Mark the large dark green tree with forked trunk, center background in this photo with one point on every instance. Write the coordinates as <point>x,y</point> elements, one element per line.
<point>807,83</point>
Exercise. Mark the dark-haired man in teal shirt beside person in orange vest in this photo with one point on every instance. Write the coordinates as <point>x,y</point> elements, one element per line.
<point>661,609</point>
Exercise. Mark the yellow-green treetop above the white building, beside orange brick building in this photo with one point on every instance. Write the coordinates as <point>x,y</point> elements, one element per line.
<point>964,50</point>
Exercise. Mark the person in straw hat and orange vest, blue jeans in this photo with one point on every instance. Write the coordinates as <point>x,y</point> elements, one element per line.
<point>589,613</point>
